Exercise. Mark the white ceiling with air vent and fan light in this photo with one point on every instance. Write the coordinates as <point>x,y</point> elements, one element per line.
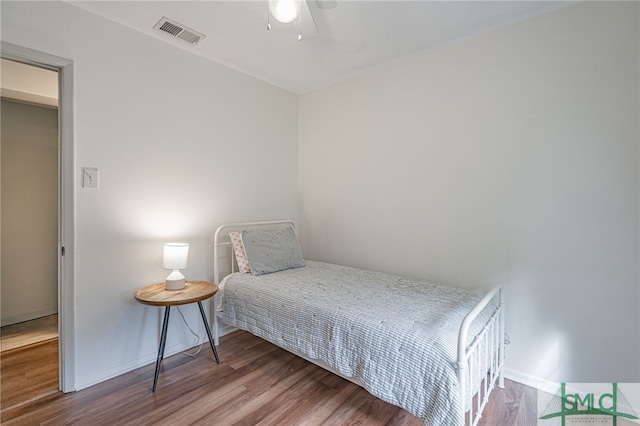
<point>353,36</point>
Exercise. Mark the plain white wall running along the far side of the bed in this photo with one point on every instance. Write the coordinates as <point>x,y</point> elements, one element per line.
<point>509,157</point>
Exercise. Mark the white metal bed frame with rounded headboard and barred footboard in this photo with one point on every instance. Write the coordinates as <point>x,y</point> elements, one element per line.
<point>481,361</point>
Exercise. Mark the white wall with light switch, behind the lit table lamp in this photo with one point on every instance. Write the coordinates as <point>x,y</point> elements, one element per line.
<point>182,145</point>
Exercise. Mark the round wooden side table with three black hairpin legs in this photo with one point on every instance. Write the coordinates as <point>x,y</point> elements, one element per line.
<point>157,295</point>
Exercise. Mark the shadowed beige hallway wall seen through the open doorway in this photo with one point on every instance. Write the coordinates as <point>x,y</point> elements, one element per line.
<point>29,146</point>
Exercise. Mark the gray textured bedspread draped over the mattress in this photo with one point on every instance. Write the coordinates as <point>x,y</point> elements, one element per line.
<point>398,336</point>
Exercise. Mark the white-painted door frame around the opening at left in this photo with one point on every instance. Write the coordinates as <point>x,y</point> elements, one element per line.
<point>66,203</point>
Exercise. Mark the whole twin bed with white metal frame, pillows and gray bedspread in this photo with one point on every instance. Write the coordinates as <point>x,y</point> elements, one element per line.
<point>436,351</point>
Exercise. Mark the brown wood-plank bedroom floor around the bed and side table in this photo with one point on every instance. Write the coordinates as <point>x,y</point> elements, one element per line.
<point>255,383</point>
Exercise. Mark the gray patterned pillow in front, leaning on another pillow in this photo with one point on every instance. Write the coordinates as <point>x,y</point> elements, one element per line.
<point>275,251</point>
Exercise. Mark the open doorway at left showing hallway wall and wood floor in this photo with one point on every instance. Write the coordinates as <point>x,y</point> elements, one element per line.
<point>29,149</point>
